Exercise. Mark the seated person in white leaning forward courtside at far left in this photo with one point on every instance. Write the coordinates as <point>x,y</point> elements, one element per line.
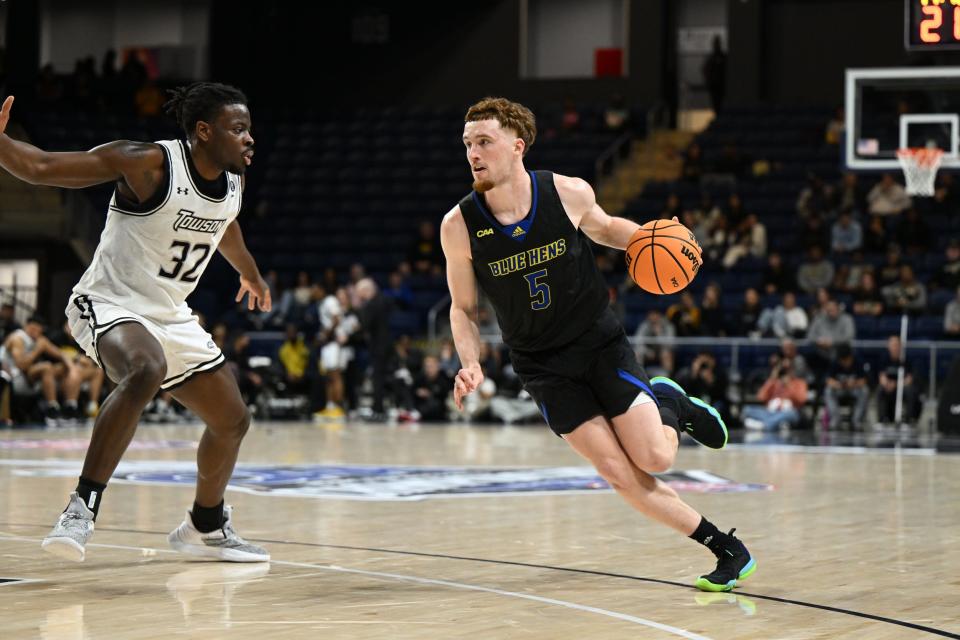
<point>34,365</point>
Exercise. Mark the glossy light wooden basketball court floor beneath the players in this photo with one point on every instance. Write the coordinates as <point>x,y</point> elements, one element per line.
<point>861,544</point>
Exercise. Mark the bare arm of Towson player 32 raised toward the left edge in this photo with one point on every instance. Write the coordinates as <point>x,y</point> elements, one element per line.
<point>139,164</point>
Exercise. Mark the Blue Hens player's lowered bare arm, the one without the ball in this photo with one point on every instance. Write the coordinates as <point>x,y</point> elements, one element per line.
<point>463,303</point>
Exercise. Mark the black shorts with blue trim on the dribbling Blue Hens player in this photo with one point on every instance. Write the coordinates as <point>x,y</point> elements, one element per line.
<point>596,374</point>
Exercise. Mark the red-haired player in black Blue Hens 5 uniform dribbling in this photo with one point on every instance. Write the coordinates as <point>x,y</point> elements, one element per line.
<point>520,237</point>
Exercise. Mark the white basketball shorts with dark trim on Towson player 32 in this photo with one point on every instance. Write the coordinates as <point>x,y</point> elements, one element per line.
<point>187,347</point>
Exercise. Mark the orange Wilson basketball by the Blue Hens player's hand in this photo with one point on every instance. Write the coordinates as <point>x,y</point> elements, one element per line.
<point>663,257</point>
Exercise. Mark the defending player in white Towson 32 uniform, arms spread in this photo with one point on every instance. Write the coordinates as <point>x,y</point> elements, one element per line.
<point>174,204</point>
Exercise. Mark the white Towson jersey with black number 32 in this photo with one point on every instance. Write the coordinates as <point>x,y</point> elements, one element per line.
<point>151,256</point>
